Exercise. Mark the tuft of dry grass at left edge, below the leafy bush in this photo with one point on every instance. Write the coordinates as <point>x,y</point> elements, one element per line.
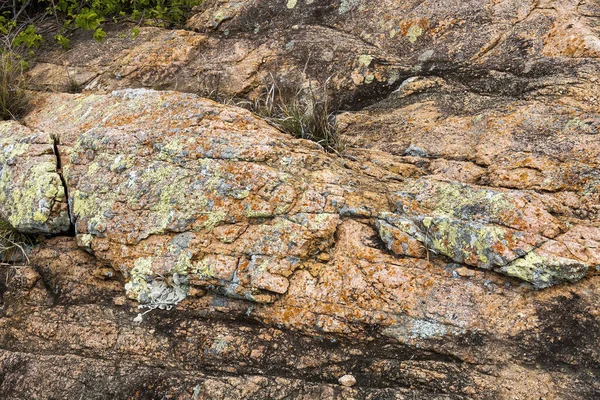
<point>14,99</point>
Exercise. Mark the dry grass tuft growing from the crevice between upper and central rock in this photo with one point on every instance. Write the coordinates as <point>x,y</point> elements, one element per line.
<point>304,112</point>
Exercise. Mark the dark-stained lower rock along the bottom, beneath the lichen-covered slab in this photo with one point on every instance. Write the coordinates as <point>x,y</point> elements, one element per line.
<point>69,307</point>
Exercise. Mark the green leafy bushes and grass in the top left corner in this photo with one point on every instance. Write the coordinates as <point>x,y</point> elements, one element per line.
<point>20,22</point>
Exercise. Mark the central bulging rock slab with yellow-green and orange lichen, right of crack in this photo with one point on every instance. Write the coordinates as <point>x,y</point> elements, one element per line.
<point>215,195</point>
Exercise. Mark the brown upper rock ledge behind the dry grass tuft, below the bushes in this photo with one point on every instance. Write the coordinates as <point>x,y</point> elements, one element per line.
<point>473,54</point>
